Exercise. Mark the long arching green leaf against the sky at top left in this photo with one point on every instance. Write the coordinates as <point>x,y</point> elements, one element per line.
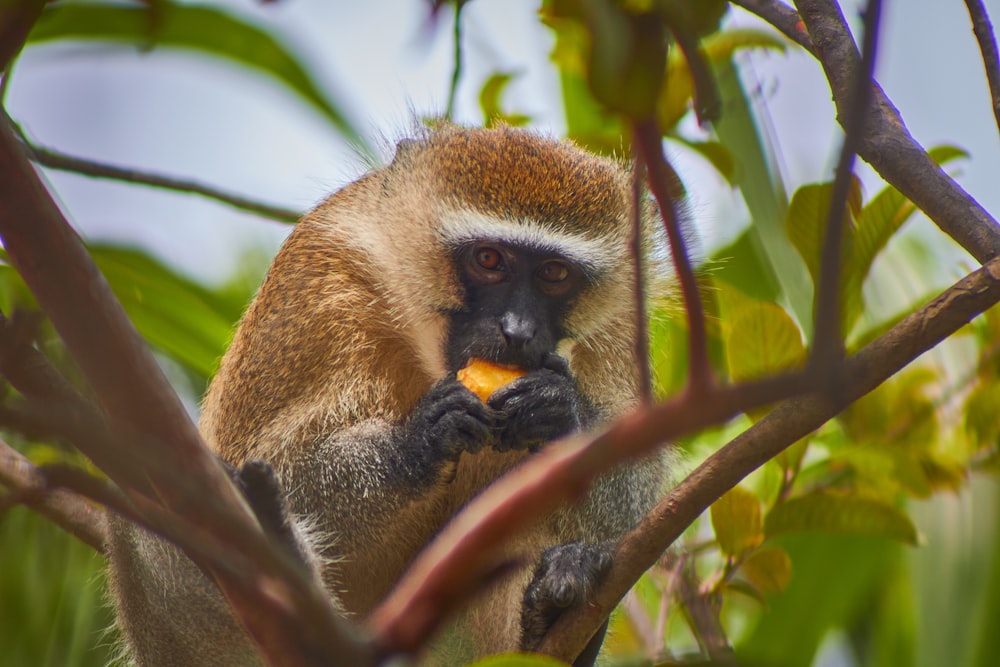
<point>204,30</point>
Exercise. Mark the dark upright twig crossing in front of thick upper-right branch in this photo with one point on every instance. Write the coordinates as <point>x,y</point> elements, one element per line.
<point>828,345</point>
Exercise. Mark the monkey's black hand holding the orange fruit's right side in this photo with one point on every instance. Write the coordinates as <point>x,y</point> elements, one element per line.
<point>538,407</point>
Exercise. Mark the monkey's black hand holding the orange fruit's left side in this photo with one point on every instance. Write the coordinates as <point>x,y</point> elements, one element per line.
<point>448,420</point>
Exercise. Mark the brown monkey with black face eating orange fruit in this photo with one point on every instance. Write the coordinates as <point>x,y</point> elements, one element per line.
<point>497,244</point>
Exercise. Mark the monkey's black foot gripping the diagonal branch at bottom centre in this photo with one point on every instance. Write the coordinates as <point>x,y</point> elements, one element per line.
<point>564,577</point>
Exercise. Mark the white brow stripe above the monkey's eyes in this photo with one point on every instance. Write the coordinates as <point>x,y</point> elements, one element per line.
<point>592,255</point>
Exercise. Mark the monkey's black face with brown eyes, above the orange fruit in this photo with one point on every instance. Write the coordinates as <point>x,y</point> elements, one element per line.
<point>515,300</point>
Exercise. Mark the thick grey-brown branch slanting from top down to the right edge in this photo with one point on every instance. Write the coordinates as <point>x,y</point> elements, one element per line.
<point>887,145</point>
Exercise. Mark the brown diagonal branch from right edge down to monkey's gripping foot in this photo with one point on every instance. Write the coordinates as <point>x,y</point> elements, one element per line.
<point>794,419</point>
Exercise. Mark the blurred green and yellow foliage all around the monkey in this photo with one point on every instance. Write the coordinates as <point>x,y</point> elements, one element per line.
<point>817,545</point>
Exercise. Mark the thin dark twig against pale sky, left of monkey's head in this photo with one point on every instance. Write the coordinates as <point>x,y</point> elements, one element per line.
<point>63,162</point>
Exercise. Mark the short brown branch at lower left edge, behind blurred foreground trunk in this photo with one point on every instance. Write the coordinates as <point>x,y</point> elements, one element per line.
<point>67,510</point>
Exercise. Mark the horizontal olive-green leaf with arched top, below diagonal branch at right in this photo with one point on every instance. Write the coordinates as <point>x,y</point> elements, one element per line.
<point>831,513</point>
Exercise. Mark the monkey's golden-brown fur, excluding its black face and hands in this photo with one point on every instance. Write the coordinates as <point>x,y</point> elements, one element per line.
<point>347,333</point>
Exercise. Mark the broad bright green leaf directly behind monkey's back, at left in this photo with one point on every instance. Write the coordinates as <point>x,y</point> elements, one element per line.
<point>174,314</point>
